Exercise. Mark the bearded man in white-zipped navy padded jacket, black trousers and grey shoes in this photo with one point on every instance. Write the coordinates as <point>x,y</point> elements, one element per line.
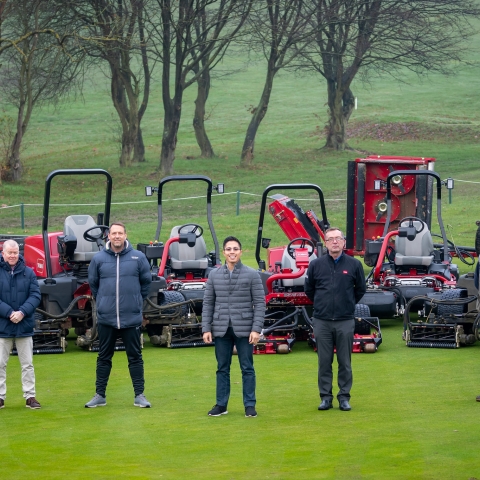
<point>119,278</point>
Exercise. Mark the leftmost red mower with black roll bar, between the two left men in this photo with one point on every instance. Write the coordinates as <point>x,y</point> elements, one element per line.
<point>60,260</point>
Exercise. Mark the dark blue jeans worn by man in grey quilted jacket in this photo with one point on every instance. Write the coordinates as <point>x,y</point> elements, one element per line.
<point>223,352</point>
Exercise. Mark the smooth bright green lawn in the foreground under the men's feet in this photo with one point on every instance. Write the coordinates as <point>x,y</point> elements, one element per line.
<point>413,415</point>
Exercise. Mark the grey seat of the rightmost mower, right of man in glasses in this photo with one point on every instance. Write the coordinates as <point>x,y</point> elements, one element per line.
<point>417,251</point>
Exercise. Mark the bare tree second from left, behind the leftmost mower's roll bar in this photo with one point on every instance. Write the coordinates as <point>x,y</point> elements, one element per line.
<point>114,33</point>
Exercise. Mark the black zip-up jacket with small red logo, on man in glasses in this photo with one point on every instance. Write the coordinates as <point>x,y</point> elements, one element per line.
<point>335,288</point>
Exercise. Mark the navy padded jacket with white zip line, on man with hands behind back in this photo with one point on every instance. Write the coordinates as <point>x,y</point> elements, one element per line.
<point>119,282</point>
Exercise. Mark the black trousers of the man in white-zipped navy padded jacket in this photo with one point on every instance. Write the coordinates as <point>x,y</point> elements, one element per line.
<point>107,337</point>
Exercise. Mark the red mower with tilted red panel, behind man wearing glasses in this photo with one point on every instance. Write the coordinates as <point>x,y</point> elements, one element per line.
<point>289,310</point>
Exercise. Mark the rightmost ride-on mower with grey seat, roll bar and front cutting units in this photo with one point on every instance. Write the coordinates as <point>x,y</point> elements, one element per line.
<point>421,274</point>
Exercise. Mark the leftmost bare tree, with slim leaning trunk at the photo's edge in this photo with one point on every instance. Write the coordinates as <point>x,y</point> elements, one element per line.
<point>35,72</point>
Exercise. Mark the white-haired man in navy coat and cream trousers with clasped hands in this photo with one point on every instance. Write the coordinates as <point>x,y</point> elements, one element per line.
<point>19,297</point>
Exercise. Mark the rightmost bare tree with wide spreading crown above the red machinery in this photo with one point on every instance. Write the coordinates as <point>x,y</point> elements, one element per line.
<point>372,36</point>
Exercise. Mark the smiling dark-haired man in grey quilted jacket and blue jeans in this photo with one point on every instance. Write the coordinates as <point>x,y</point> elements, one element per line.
<point>233,314</point>
